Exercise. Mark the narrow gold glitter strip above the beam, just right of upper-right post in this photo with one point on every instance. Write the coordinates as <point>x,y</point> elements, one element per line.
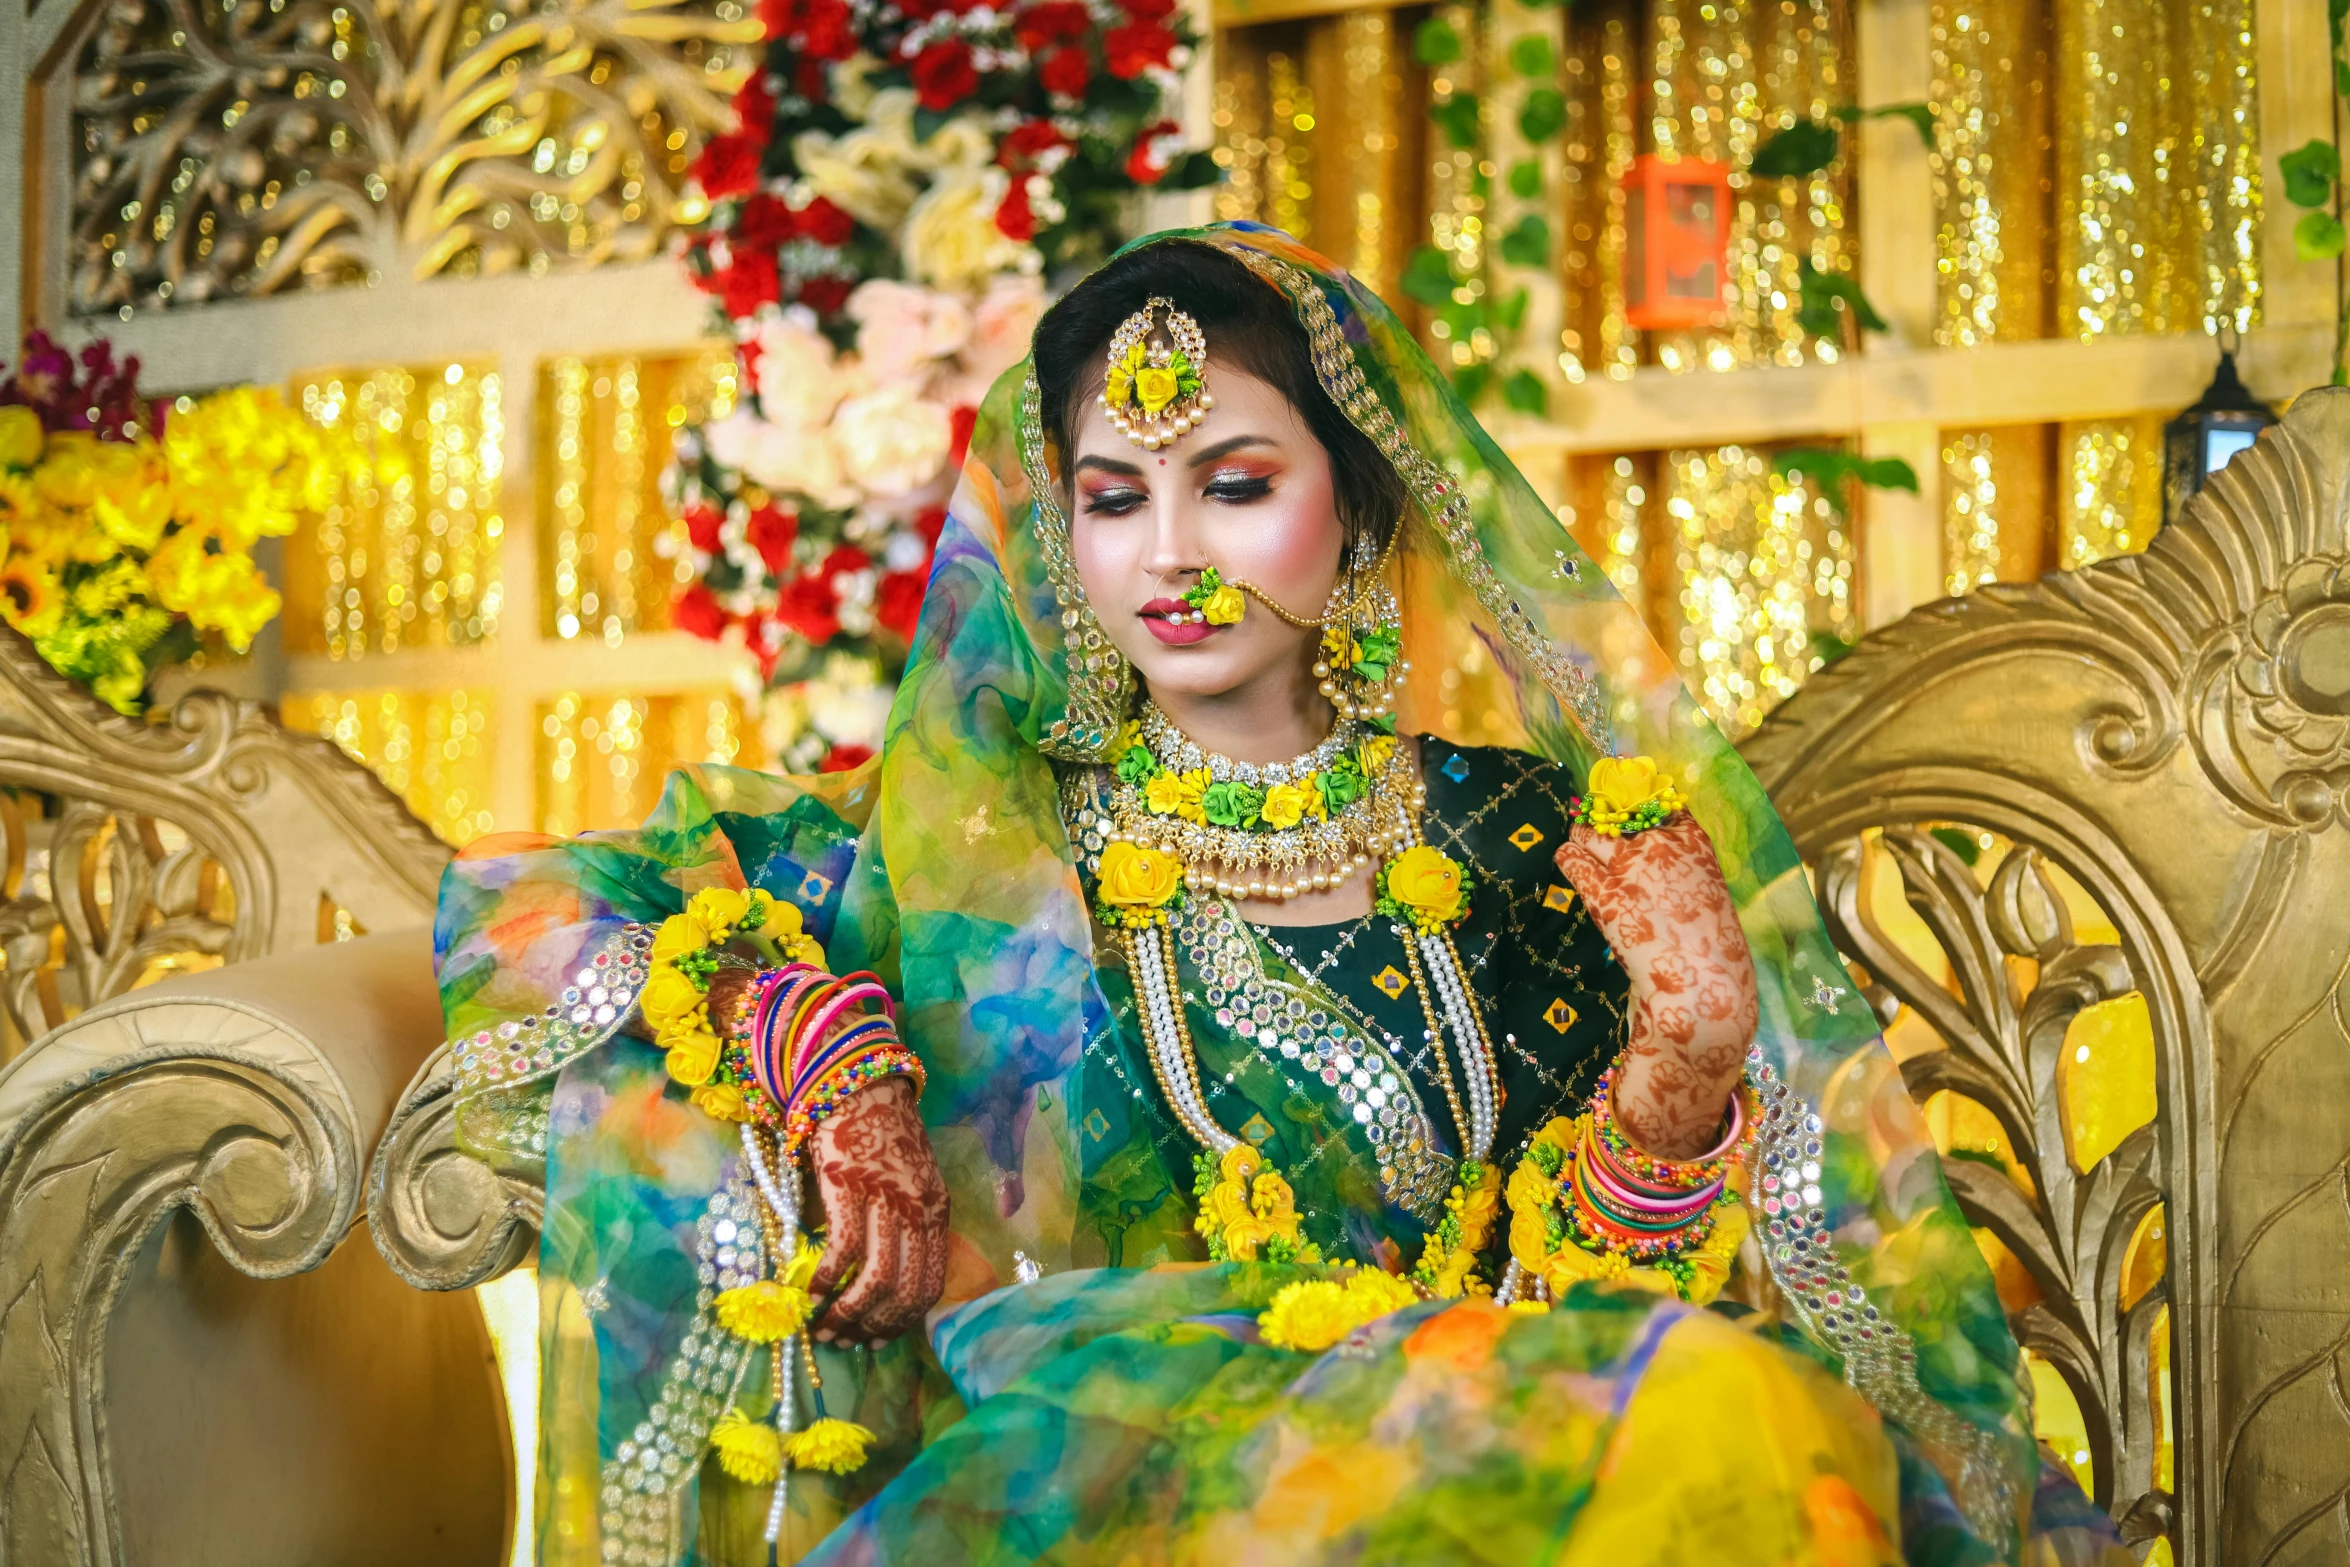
<point>1994,170</point>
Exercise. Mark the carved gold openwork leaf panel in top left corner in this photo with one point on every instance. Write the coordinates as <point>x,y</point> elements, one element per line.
<point>264,144</point>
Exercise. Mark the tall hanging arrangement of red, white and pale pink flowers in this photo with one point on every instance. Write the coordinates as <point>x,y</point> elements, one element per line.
<point>885,213</point>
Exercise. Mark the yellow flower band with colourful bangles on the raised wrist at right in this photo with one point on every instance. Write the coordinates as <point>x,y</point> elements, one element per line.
<point>1585,1204</point>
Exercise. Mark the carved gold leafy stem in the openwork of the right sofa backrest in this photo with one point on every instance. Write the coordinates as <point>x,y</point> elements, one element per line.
<point>2001,1051</point>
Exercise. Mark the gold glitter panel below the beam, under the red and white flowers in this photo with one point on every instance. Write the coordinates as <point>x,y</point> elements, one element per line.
<point>605,758</point>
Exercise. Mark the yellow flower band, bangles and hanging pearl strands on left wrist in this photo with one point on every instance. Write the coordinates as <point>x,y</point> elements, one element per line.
<point>781,1056</point>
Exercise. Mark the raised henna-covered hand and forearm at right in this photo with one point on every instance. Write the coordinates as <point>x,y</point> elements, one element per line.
<point>1660,901</point>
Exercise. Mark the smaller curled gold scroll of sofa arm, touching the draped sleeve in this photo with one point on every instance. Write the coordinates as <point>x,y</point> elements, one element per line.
<point>441,1218</point>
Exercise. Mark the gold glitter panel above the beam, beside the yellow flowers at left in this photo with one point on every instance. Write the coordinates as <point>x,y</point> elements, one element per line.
<point>405,556</point>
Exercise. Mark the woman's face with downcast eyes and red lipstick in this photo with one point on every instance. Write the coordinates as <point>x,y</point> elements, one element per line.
<point>1247,492</point>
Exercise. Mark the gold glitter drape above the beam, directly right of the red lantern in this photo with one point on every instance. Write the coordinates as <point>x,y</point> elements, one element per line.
<point>1724,76</point>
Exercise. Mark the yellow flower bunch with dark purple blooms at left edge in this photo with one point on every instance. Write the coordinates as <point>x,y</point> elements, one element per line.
<point>130,532</point>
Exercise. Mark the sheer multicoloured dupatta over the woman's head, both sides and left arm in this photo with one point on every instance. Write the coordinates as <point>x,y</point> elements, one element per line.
<point>948,870</point>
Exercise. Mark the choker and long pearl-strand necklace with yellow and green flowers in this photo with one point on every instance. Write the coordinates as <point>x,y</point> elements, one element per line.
<point>1188,819</point>
